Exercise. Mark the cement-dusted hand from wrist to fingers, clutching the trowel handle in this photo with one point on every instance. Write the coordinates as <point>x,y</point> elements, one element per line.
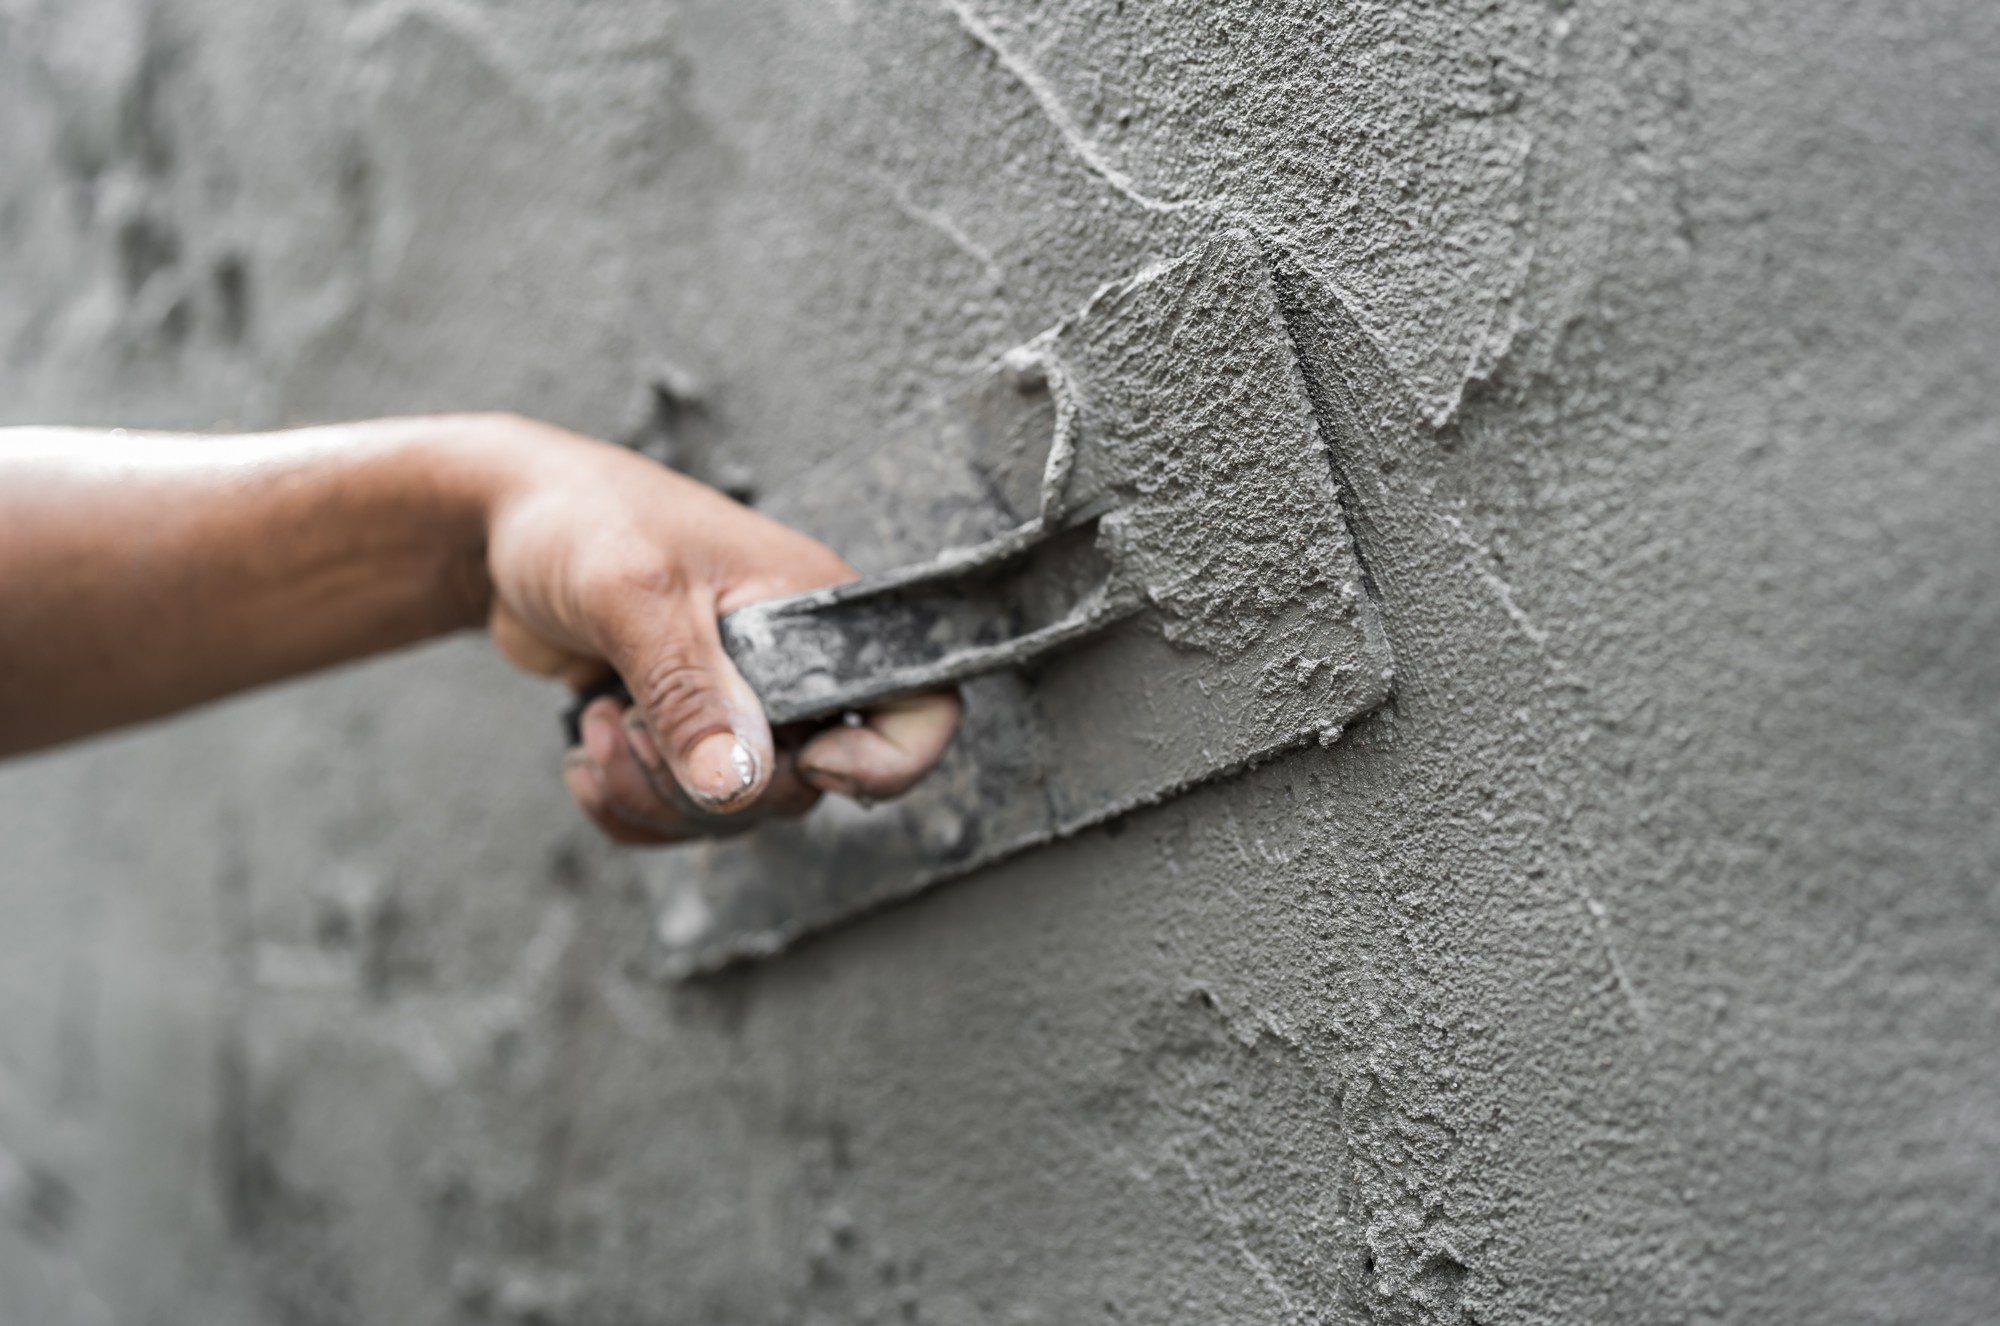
<point>601,563</point>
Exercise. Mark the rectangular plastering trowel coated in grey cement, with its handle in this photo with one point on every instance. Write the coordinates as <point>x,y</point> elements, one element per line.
<point>1169,597</point>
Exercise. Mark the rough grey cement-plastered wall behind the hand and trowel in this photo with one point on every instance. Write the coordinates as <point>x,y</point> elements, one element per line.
<point>1639,965</point>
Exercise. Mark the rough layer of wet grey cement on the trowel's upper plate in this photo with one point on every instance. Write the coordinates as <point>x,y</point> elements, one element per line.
<point>1235,531</point>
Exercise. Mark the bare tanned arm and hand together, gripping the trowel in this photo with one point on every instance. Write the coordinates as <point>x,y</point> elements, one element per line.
<point>149,573</point>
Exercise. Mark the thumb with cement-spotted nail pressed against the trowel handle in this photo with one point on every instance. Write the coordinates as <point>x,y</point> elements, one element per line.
<point>703,725</point>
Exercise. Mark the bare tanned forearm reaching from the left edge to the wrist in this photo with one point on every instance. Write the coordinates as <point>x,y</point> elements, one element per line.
<point>147,573</point>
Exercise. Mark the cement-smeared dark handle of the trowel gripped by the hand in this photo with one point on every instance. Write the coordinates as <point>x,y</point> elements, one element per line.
<point>973,611</point>
